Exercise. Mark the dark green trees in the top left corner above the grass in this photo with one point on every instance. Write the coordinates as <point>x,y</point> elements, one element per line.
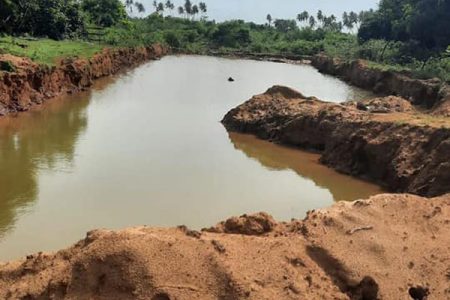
<point>60,19</point>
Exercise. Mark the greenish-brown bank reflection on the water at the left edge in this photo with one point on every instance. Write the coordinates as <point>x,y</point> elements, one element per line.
<point>42,139</point>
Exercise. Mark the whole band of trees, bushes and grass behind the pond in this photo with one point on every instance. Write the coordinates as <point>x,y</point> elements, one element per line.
<point>401,35</point>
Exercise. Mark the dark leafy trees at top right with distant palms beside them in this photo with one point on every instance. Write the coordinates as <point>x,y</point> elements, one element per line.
<point>418,28</point>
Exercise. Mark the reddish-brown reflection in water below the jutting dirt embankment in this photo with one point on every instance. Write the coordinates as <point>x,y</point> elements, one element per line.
<point>305,164</point>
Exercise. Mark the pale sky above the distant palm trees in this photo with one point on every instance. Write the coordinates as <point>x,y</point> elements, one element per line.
<point>257,10</point>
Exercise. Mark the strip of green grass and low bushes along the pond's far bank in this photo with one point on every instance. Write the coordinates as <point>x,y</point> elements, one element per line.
<point>206,37</point>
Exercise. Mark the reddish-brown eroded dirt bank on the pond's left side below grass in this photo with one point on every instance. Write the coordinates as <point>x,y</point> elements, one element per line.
<point>32,84</point>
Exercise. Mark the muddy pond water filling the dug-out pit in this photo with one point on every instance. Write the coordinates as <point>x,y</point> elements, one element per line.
<point>147,148</point>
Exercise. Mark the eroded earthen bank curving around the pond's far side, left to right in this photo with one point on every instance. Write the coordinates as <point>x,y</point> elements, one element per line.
<point>32,84</point>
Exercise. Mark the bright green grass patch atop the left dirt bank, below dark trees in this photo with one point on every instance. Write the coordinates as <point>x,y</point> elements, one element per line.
<point>46,51</point>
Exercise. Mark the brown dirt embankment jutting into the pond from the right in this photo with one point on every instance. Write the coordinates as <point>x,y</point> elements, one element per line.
<point>383,139</point>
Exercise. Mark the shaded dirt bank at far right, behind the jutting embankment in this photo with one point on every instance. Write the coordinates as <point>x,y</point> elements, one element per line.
<point>428,93</point>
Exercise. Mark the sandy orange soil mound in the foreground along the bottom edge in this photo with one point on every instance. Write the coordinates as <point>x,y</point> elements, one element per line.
<point>387,247</point>
